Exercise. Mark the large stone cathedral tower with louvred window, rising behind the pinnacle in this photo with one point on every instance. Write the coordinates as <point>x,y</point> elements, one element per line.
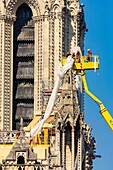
<point>34,35</point>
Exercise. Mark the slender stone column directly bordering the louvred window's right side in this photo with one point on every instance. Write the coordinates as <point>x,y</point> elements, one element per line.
<point>38,65</point>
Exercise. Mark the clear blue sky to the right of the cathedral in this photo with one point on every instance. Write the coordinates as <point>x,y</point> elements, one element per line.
<point>99,38</point>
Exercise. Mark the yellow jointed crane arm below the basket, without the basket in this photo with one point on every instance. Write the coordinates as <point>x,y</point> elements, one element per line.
<point>103,111</point>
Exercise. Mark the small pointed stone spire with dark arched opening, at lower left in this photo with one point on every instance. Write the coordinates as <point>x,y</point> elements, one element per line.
<point>21,148</point>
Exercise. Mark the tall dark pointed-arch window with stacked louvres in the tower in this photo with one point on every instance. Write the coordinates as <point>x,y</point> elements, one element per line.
<point>23,66</point>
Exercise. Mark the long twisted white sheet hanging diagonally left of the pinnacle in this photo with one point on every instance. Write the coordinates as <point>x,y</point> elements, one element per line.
<point>61,71</point>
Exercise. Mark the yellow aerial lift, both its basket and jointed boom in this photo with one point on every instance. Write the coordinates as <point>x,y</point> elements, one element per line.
<point>80,65</point>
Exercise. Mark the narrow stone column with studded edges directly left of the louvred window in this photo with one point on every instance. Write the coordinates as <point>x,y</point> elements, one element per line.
<point>8,72</point>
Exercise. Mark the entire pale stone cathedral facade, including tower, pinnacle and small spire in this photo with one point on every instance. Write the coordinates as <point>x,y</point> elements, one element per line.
<point>34,35</point>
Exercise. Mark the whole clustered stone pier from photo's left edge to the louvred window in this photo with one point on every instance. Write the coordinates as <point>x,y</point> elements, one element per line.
<point>6,64</point>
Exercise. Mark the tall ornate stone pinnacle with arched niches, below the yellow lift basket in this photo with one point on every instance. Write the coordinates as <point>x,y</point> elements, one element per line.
<point>73,135</point>
